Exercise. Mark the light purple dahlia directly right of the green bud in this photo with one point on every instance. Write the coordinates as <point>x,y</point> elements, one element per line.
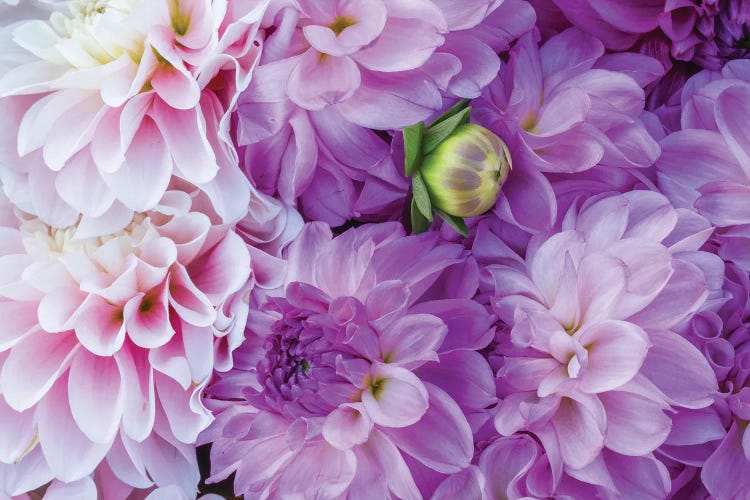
<point>565,107</point>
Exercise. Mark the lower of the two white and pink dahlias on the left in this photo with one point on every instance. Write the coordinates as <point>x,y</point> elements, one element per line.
<point>109,341</point>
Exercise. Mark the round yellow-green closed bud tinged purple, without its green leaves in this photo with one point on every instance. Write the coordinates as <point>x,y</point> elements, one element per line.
<point>465,172</point>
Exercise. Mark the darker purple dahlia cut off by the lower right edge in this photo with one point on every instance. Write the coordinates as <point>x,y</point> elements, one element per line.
<point>709,446</point>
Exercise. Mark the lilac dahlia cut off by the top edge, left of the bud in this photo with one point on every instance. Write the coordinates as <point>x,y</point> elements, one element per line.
<point>333,70</point>
